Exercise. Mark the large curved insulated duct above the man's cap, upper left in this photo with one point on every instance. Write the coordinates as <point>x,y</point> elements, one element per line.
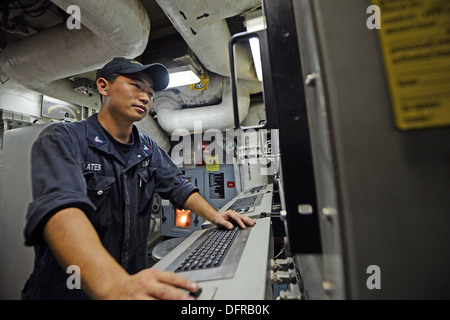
<point>110,28</point>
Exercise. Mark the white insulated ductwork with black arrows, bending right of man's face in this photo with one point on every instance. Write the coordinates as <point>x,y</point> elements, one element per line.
<point>203,26</point>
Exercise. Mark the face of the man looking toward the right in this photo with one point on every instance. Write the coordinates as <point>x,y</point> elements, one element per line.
<point>130,96</point>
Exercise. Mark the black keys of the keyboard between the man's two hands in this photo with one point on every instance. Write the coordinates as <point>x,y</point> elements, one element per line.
<point>211,252</point>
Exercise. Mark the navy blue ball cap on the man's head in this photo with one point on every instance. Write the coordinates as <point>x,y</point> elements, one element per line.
<point>124,66</point>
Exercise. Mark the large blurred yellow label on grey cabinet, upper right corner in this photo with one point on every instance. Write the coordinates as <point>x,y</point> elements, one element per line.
<point>415,39</point>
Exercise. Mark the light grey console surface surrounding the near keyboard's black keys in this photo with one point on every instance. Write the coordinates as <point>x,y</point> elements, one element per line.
<point>243,273</point>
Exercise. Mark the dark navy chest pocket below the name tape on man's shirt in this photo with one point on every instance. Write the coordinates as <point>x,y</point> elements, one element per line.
<point>99,190</point>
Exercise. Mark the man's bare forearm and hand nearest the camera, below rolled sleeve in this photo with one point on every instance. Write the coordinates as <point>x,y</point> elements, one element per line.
<point>74,241</point>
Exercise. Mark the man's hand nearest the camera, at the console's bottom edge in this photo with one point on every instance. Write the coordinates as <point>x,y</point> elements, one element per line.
<point>152,284</point>
